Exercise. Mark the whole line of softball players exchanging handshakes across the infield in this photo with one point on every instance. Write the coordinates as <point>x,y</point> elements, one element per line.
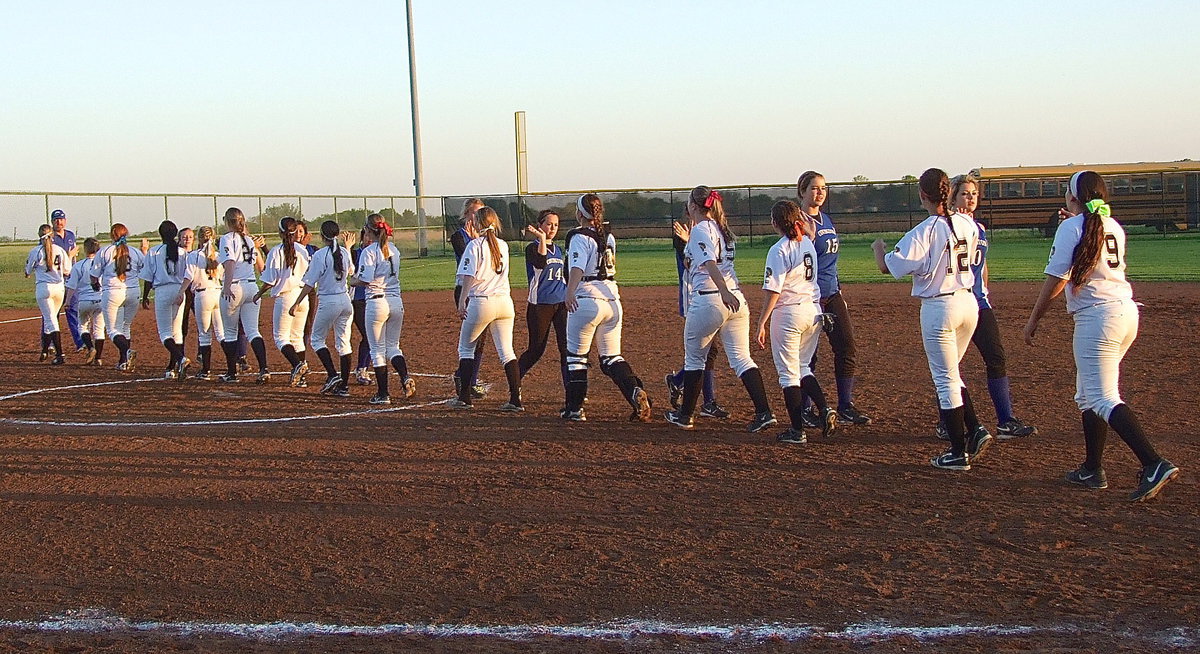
<point>575,291</point>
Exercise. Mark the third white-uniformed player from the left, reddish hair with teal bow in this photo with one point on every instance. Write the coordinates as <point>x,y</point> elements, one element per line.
<point>117,267</point>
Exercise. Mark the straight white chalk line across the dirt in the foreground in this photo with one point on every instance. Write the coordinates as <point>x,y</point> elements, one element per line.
<point>101,622</point>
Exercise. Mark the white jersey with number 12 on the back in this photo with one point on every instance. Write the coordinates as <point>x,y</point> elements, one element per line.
<point>938,259</point>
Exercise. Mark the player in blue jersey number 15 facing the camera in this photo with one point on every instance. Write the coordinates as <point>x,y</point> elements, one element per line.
<point>813,193</point>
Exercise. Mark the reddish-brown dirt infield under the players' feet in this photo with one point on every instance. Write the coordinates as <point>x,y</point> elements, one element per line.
<point>429,517</point>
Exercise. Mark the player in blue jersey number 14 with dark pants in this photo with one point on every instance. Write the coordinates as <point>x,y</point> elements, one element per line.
<point>548,295</point>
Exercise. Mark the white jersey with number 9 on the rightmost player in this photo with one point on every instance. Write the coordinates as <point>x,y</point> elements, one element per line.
<point>1107,281</point>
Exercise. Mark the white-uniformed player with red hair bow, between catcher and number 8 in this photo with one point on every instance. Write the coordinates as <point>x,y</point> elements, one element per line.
<point>716,308</point>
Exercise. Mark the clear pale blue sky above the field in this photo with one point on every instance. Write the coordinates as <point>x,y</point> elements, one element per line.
<point>313,97</point>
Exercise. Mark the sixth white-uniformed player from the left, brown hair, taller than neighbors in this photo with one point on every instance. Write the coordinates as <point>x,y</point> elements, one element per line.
<point>241,257</point>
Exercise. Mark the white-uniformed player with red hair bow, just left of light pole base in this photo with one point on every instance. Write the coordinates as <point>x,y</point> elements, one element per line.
<point>380,272</point>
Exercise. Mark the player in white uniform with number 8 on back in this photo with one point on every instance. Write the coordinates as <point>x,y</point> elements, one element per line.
<point>791,304</point>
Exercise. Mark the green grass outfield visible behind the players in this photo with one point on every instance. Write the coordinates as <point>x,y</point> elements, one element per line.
<point>1015,256</point>
